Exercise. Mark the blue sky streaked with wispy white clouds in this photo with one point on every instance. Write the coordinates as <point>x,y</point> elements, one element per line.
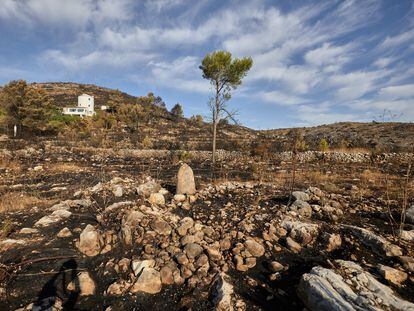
<point>314,62</point>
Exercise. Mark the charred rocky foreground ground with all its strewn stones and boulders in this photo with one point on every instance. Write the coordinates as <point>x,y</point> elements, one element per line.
<point>110,232</point>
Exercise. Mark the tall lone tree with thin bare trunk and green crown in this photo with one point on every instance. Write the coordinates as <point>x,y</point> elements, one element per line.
<point>225,74</point>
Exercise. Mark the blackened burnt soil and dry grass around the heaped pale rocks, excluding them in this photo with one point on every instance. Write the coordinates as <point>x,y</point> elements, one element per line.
<point>66,171</point>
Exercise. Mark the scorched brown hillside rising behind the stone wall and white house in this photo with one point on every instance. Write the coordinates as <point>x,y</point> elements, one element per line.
<point>167,132</point>
